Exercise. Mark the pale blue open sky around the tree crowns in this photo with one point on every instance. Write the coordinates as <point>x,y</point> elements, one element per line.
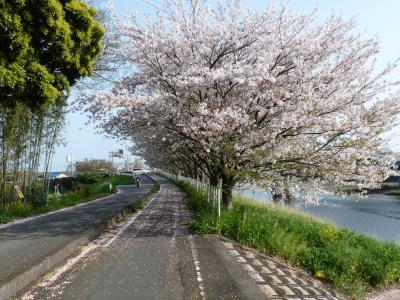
<point>375,19</point>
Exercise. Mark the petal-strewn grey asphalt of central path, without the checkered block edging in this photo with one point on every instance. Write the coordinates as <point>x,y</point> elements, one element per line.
<point>153,259</point>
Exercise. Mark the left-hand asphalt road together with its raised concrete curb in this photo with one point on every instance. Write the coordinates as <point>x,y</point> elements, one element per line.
<point>29,249</point>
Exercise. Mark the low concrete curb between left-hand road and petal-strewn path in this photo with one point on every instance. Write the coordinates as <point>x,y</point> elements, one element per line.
<point>25,279</point>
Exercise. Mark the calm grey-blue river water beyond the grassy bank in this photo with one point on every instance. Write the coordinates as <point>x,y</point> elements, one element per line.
<point>377,215</point>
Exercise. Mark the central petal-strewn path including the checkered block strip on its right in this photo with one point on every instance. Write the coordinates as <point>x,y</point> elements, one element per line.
<point>152,256</point>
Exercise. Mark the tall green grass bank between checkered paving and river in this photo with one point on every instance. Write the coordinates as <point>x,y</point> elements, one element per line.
<point>353,263</point>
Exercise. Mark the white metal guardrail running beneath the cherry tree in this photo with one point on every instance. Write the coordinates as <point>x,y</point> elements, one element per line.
<point>212,193</point>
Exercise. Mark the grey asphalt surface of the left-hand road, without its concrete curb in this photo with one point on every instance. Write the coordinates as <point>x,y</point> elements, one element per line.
<point>26,244</point>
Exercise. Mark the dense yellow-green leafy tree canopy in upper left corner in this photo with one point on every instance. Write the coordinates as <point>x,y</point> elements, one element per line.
<point>46,46</point>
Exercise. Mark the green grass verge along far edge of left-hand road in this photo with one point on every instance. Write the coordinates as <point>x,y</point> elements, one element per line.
<point>80,193</point>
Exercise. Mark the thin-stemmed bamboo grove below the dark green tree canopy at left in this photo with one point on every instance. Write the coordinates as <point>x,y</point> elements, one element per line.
<point>27,141</point>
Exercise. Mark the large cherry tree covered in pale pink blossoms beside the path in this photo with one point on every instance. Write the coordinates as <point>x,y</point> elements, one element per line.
<point>270,98</point>
